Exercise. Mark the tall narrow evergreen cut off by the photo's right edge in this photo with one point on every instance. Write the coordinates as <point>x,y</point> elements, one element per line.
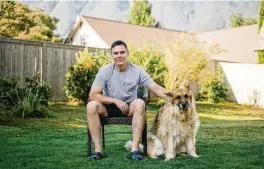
<point>260,22</point>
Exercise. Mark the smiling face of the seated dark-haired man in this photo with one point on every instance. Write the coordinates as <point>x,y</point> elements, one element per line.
<point>119,54</point>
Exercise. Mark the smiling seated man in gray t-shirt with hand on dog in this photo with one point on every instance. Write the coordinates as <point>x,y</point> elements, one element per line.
<point>114,93</point>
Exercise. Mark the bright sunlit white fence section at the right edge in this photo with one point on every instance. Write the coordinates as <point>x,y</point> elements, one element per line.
<point>245,82</point>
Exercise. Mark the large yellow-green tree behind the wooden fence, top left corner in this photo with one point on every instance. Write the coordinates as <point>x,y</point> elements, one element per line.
<point>19,21</point>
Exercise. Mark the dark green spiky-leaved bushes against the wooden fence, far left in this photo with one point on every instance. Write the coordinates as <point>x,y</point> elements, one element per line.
<point>32,101</point>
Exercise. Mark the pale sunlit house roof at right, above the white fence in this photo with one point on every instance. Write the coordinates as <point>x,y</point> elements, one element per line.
<point>239,42</point>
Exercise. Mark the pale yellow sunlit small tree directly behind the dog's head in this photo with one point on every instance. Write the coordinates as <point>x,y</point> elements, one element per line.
<point>186,58</point>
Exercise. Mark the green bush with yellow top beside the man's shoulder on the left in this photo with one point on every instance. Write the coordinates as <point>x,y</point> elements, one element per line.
<point>81,75</point>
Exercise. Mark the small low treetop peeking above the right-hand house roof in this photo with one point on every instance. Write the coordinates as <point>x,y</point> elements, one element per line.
<point>238,20</point>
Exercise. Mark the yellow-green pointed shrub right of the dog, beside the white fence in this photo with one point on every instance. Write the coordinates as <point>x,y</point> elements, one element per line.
<point>213,88</point>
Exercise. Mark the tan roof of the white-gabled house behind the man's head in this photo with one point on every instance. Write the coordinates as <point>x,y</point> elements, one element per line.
<point>111,31</point>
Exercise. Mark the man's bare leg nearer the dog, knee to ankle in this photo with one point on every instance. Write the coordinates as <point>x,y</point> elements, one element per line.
<point>137,110</point>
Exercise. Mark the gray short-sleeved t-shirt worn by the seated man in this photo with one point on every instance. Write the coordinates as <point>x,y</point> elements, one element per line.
<point>121,85</point>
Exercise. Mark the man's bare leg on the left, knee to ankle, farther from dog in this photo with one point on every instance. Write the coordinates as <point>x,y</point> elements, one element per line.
<point>95,109</point>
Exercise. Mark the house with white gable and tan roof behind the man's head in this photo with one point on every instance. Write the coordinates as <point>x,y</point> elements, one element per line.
<point>100,33</point>
